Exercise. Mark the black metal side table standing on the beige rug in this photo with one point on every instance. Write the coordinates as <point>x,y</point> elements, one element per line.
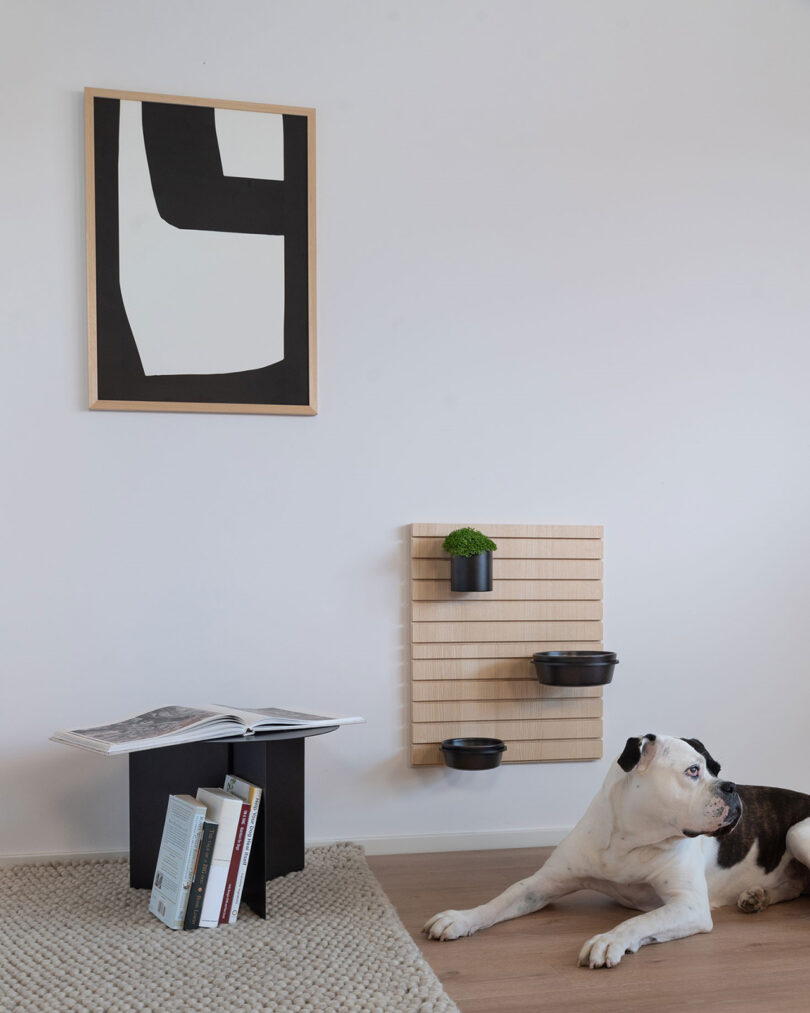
<point>274,761</point>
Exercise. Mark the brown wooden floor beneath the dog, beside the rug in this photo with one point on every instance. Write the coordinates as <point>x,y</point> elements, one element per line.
<point>750,963</point>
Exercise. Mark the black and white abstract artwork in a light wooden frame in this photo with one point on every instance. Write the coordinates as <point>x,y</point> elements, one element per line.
<point>201,255</point>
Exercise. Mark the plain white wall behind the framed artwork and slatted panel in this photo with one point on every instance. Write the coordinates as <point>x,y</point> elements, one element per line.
<point>564,254</point>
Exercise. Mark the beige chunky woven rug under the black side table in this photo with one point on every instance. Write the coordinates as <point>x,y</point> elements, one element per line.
<point>74,937</point>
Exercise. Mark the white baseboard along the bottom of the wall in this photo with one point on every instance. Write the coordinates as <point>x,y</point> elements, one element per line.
<point>414,844</point>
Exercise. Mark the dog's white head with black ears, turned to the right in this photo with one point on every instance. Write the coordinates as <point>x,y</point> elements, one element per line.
<point>675,783</point>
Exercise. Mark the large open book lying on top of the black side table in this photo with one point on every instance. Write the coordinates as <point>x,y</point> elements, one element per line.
<point>173,726</point>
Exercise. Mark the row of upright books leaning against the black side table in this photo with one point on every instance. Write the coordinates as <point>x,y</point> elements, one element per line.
<point>204,855</point>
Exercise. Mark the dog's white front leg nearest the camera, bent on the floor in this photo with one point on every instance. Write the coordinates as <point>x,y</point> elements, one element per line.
<point>684,914</point>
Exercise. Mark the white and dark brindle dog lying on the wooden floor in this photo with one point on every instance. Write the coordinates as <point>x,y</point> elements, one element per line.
<point>667,836</point>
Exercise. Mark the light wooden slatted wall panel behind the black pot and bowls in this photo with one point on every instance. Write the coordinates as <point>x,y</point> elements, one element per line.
<point>471,653</point>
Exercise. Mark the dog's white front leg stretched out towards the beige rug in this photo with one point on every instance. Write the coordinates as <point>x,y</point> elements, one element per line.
<point>520,899</point>
